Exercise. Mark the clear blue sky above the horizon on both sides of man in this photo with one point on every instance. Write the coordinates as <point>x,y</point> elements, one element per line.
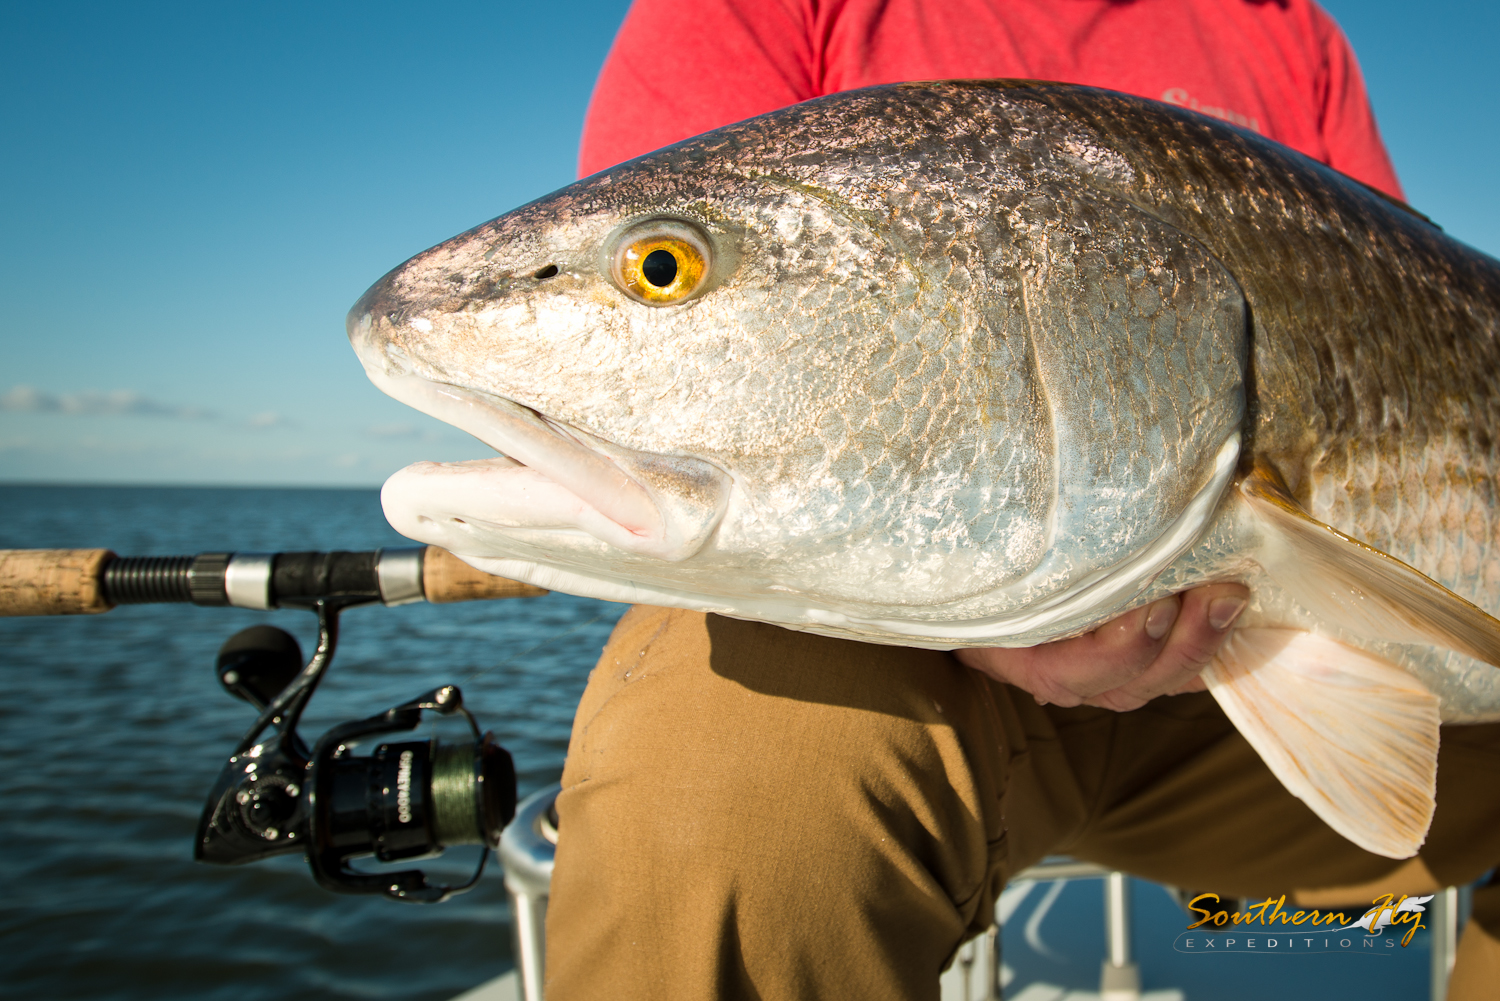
<point>193,196</point>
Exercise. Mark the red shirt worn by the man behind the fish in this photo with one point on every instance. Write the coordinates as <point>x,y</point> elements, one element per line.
<point>1279,67</point>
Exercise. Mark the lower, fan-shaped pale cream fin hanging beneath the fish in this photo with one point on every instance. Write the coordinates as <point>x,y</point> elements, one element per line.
<point>1348,733</point>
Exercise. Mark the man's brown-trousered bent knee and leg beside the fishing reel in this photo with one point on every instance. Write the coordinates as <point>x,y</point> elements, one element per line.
<point>815,795</point>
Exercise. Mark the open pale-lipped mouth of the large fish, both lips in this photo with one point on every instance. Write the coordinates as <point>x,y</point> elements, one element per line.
<point>550,479</point>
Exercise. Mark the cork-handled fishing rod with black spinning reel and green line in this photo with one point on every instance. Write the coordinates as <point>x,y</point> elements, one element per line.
<point>341,799</point>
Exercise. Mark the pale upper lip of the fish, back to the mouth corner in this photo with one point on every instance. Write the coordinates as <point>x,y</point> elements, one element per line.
<point>607,478</point>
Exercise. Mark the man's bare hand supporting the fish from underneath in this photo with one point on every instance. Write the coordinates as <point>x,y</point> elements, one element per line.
<point>1127,663</point>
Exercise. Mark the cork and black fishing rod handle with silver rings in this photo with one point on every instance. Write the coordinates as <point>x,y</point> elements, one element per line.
<point>88,582</point>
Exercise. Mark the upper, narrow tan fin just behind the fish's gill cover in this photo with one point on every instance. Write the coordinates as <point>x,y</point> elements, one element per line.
<point>1358,588</point>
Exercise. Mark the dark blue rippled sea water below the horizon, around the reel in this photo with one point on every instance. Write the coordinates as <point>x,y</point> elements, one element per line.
<point>113,729</point>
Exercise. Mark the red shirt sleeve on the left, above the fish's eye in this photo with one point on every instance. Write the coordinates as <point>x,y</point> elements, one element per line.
<point>686,67</point>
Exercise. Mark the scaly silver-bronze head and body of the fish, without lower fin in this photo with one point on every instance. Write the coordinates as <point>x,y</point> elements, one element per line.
<point>967,364</point>
